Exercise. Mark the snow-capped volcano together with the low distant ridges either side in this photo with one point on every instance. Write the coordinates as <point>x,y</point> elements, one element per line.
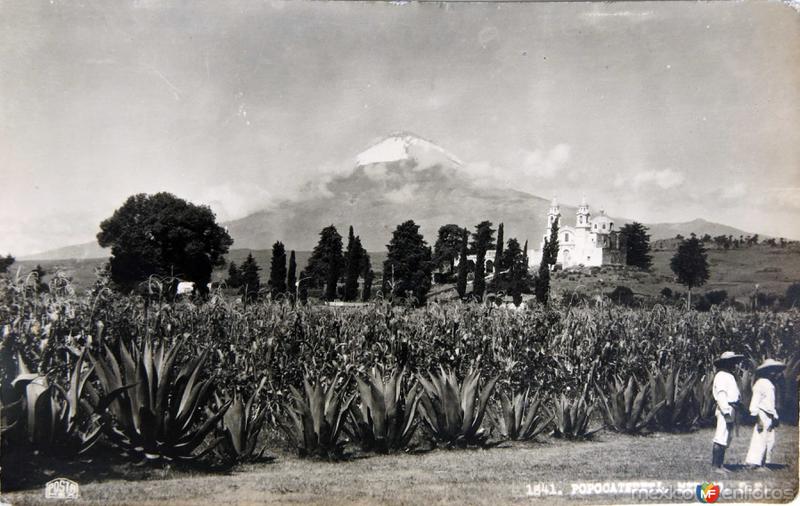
<point>402,177</point>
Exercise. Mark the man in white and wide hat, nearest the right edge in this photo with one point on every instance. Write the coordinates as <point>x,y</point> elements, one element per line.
<point>762,406</point>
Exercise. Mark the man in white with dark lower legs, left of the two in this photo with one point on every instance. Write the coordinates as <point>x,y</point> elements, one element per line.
<point>726,395</point>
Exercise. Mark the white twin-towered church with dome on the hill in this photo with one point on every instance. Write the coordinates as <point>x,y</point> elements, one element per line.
<point>592,241</point>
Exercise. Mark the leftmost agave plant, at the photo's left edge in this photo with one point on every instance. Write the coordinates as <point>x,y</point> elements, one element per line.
<point>63,422</point>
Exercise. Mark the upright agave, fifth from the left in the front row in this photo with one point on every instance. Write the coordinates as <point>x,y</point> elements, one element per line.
<point>385,418</point>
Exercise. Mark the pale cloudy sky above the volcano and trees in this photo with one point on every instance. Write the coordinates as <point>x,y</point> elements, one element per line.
<point>662,112</point>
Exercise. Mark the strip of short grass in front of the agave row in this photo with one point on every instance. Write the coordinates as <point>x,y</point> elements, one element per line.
<point>495,476</point>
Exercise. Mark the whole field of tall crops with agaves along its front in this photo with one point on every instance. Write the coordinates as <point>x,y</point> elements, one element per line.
<point>211,382</point>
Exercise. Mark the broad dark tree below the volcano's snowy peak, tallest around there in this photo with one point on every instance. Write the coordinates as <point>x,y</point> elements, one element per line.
<point>410,262</point>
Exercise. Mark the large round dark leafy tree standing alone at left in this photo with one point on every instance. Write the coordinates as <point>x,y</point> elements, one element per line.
<point>163,235</point>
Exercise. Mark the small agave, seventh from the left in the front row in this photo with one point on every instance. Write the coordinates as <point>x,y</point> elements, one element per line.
<point>521,416</point>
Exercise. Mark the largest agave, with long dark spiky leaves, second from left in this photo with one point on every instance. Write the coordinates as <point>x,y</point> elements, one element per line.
<point>160,418</point>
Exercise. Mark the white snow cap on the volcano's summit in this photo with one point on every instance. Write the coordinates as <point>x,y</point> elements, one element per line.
<point>404,146</point>
